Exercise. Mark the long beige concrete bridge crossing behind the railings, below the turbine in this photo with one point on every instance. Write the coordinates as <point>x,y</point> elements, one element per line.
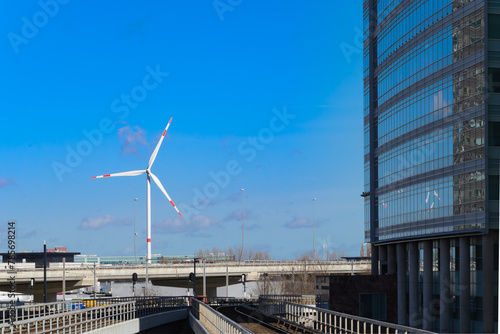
<point>78,275</point>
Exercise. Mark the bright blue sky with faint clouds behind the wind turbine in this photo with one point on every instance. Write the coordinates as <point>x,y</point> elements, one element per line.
<point>265,96</point>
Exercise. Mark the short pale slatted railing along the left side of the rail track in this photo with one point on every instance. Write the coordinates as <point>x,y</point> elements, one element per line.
<point>215,322</point>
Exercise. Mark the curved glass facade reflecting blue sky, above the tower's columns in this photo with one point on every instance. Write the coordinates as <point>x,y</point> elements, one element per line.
<point>424,75</point>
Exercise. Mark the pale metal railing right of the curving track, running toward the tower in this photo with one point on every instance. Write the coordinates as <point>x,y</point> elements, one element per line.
<point>327,321</point>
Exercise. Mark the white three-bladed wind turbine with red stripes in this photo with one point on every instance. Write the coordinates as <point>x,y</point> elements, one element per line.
<point>155,179</point>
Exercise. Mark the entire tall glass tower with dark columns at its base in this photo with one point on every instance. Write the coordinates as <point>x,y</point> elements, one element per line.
<point>432,157</point>
